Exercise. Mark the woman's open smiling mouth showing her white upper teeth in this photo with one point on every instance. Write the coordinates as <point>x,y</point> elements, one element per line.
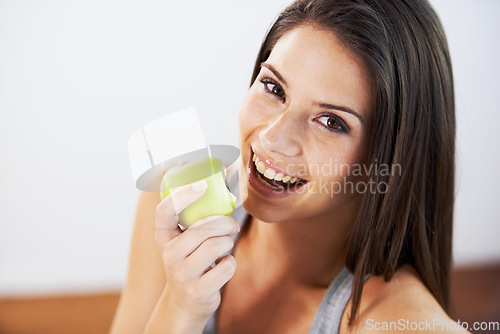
<point>273,179</point>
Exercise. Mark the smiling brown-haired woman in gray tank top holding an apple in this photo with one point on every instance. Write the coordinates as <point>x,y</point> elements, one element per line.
<point>347,175</point>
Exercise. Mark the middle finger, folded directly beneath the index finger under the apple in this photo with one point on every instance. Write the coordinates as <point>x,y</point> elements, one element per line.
<point>207,253</point>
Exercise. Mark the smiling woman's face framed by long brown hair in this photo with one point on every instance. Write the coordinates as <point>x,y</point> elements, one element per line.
<point>306,116</point>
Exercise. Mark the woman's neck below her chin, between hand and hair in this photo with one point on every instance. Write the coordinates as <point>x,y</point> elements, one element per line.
<point>305,252</point>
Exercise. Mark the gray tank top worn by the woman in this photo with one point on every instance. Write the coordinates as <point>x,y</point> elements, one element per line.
<point>327,319</point>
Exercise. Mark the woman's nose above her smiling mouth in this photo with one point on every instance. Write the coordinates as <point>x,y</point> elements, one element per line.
<point>282,136</point>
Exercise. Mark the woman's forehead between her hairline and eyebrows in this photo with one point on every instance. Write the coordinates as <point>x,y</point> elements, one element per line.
<point>315,62</point>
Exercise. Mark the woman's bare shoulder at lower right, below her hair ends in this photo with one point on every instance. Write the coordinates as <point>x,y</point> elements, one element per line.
<point>402,305</point>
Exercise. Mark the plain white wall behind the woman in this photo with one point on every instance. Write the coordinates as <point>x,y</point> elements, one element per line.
<point>78,77</point>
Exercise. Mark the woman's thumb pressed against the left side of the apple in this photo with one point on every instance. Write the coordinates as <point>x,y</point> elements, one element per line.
<point>168,209</point>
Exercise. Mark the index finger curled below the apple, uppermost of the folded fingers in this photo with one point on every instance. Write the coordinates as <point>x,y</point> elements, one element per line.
<point>191,239</point>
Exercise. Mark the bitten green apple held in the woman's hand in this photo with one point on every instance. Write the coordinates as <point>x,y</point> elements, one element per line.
<point>217,199</point>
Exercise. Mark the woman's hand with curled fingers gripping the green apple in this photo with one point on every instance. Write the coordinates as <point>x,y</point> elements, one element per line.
<point>192,284</point>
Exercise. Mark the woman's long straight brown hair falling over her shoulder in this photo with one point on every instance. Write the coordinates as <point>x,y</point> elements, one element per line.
<point>403,47</point>
